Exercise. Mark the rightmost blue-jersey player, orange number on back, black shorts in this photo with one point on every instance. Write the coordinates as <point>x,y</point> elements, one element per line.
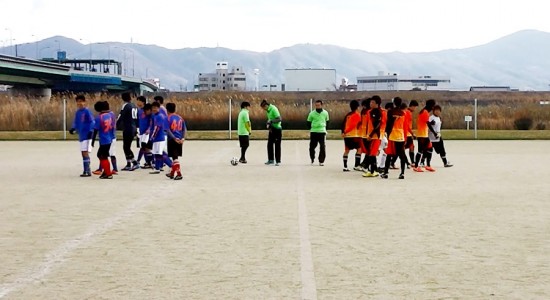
<point>178,129</point>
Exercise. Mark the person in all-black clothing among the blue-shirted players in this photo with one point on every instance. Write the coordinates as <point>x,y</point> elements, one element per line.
<point>127,118</point>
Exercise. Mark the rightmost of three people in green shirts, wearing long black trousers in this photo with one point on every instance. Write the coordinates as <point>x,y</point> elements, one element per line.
<point>317,121</point>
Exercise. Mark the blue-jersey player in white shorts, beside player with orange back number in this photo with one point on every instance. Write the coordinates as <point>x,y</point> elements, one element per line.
<point>158,137</point>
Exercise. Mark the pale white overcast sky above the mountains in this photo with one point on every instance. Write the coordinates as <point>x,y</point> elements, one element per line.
<point>261,25</point>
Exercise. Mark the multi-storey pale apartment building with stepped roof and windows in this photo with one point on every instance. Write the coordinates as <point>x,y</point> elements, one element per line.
<point>222,79</point>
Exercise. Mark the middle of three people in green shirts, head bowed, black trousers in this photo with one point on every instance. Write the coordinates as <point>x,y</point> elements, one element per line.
<point>275,133</point>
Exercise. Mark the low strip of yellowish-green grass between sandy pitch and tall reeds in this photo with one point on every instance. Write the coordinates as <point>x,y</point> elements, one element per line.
<point>293,135</point>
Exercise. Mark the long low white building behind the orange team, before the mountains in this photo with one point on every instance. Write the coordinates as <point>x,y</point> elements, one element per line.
<point>396,82</point>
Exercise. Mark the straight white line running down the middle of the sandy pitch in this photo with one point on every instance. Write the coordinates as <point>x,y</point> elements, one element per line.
<point>309,288</point>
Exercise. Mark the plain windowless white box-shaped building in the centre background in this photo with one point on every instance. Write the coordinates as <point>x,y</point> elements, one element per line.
<point>308,80</point>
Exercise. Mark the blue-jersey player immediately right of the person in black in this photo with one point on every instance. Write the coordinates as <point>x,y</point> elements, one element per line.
<point>144,121</point>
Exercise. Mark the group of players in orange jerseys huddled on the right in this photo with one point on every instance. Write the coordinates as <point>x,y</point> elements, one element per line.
<point>382,135</point>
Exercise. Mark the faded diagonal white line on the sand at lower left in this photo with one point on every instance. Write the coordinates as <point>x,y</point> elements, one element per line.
<point>58,256</point>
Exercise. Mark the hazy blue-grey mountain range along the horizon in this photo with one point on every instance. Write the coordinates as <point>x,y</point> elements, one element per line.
<point>519,60</point>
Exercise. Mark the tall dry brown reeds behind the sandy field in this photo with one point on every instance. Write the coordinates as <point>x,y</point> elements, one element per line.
<point>210,111</point>
